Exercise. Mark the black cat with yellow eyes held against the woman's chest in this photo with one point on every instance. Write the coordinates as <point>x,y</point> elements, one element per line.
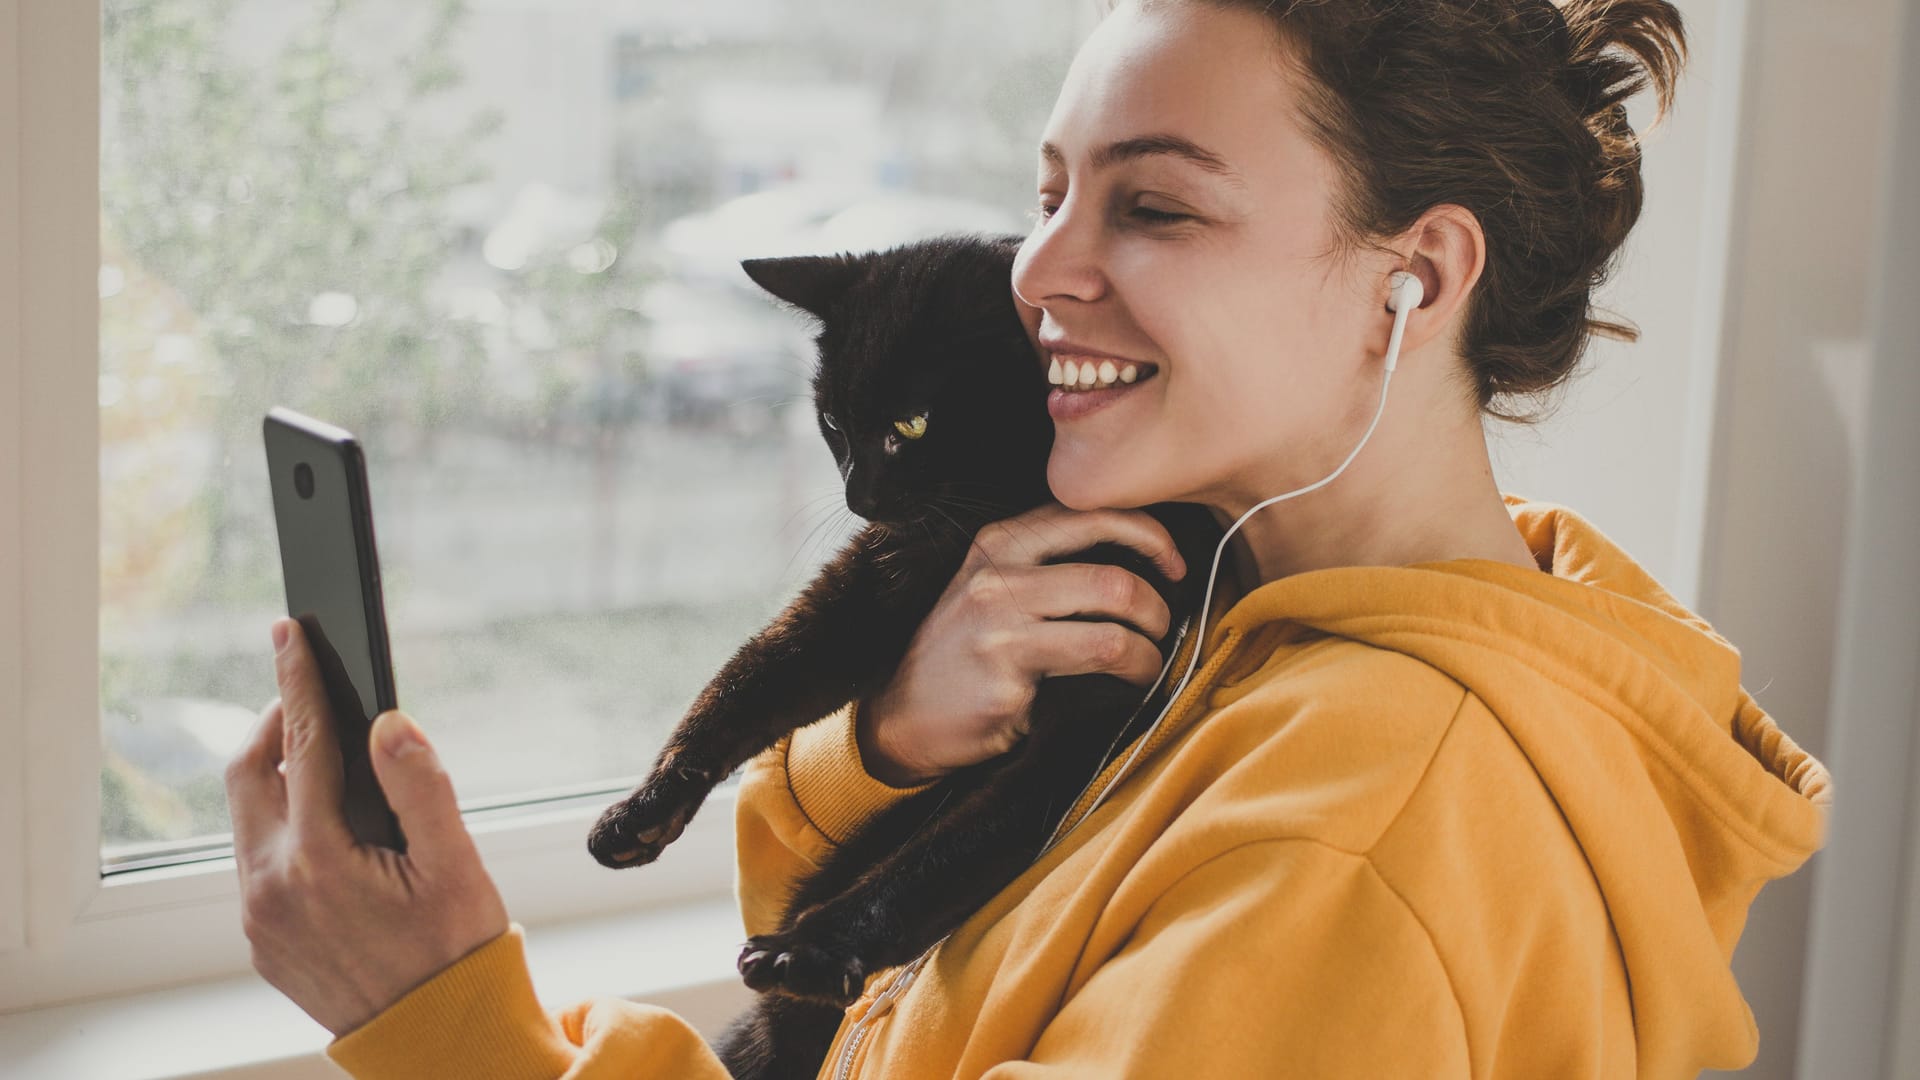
<point>934,403</point>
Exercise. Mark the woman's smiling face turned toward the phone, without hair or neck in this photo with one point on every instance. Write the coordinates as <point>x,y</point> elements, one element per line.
<point>1188,224</point>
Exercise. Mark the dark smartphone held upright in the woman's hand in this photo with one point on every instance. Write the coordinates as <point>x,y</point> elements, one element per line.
<point>324,516</point>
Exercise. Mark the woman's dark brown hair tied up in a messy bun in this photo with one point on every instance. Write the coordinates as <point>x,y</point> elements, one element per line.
<point>1514,110</point>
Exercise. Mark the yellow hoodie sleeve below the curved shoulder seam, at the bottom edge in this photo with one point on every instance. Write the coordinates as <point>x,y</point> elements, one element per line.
<point>1278,958</point>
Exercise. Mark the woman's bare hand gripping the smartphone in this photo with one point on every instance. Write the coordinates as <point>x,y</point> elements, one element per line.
<point>348,929</point>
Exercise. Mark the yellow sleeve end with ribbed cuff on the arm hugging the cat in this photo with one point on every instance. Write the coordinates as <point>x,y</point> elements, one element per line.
<point>807,795</point>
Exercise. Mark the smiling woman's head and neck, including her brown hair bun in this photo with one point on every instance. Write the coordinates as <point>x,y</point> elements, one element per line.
<point>1237,233</point>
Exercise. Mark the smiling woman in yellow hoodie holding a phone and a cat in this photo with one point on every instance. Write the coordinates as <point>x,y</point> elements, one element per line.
<point>1454,791</point>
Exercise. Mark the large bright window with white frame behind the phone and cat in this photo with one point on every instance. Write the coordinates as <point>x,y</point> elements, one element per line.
<point>498,241</point>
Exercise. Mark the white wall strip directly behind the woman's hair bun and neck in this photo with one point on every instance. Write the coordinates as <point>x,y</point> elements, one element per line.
<point>1629,443</point>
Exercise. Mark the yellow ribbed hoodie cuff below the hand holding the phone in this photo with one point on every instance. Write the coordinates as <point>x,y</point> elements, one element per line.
<point>477,1018</point>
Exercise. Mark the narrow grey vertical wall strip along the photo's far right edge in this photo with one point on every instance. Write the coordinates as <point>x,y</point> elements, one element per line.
<point>1861,1016</point>
